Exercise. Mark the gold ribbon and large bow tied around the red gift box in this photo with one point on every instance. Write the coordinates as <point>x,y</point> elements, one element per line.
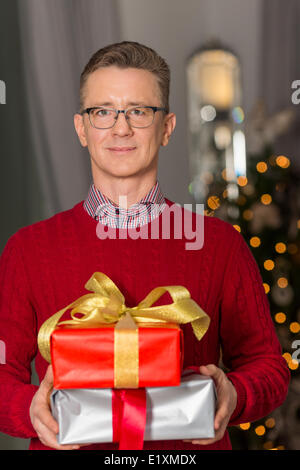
<point>107,305</point>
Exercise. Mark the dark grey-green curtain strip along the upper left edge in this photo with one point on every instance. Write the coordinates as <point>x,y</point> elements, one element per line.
<point>20,191</point>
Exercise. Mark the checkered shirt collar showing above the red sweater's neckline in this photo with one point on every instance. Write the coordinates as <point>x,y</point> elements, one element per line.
<point>103,209</point>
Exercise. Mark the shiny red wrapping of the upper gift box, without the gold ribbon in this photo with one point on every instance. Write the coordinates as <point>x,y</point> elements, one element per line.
<point>85,357</point>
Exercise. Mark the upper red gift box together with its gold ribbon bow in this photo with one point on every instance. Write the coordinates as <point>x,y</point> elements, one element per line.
<point>114,346</point>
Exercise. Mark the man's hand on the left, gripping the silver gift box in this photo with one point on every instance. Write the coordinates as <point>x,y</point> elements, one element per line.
<point>41,417</point>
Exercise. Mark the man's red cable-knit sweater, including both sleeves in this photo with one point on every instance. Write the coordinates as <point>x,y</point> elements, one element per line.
<point>45,266</point>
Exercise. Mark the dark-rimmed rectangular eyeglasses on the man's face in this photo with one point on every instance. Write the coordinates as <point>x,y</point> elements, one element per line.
<point>138,116</point>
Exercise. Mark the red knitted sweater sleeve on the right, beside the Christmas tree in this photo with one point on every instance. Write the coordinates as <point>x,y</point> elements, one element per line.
<point>251,350</point>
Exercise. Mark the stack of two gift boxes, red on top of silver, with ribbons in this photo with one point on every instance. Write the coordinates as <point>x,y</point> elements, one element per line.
<point>118,371</point>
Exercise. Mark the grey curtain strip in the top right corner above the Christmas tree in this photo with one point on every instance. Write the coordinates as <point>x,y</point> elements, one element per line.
<point>280,66</point>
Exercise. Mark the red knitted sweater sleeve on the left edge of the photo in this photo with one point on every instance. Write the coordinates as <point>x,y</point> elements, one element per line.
<point>18,335</point>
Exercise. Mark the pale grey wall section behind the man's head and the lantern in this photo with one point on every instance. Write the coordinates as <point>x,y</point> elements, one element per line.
<point>175,29</point>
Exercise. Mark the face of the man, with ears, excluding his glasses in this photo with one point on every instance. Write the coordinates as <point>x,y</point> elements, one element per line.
<point>123,151</point>
